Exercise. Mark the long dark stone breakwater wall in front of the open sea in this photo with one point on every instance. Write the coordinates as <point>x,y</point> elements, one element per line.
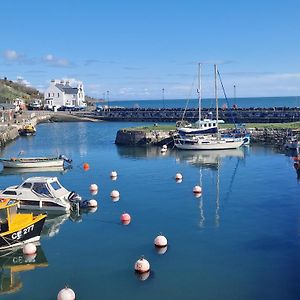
<point>239,115</point>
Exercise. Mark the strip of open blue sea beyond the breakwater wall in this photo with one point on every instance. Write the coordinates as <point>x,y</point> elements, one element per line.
<point>265,102</point>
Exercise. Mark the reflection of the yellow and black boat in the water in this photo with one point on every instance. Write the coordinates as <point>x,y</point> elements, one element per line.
<point>12,263</point>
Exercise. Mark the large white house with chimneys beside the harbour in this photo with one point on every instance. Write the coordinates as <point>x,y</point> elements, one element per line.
<point>60,93</point>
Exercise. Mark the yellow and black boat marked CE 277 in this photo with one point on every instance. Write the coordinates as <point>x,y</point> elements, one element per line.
<point>17,229</point>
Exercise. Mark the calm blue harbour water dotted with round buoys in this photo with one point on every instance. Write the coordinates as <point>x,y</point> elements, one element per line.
<point>240,240</point>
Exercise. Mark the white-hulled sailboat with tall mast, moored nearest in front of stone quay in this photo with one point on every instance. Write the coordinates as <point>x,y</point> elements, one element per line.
<point>206,141</point>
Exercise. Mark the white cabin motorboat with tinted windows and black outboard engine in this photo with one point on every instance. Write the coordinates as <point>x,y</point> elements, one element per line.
<point>42,193</point>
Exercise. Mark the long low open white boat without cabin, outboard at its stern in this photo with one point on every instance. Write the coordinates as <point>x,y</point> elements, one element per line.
<point>35,162</point>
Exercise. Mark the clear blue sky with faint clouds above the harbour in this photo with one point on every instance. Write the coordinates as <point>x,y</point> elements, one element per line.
<point>134,49</point>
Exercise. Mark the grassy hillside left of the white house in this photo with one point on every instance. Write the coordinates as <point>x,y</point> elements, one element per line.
<point>10,90</point>
